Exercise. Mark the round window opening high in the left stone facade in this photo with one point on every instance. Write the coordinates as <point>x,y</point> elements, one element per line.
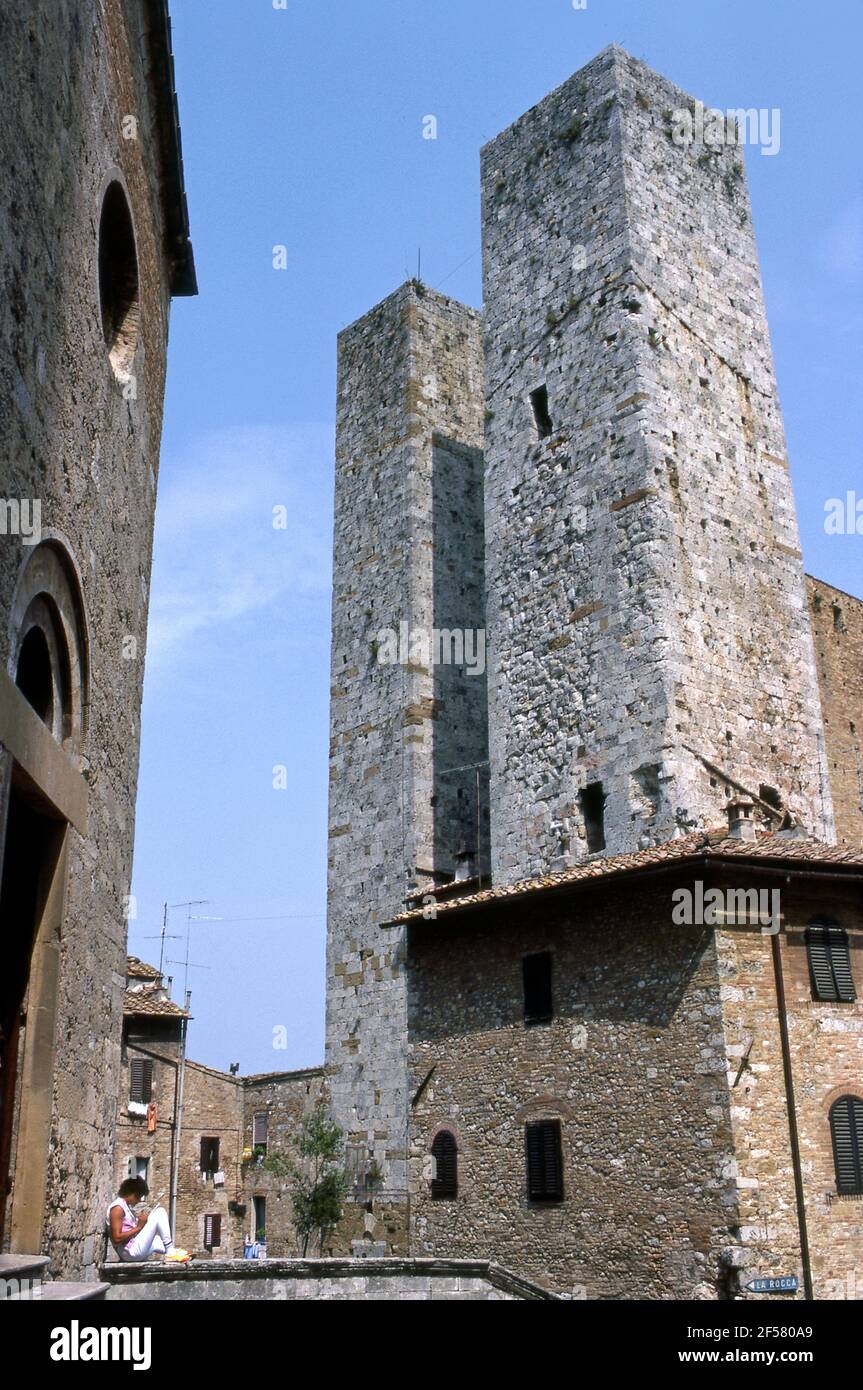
<point>119,294</point>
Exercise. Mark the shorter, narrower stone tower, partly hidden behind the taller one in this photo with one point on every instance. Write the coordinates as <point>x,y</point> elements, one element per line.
<point>408,730</point>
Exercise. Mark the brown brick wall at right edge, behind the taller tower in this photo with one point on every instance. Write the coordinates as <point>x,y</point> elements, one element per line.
<point>837,623</point>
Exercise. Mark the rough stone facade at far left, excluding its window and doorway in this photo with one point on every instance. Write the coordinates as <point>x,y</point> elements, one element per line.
<point>85,444</point>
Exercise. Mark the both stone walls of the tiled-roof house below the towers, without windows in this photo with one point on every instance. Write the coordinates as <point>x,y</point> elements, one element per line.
<point>664,1065</point>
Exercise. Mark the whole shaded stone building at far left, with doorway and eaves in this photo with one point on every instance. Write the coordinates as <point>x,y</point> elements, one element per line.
<point>95,241</point>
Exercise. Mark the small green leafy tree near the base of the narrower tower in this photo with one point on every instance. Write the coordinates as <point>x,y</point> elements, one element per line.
<point>316,1185</point>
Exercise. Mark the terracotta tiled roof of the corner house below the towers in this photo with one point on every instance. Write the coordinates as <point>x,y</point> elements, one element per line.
<point>779,849</point>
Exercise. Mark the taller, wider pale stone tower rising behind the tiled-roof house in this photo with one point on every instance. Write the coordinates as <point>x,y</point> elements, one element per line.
<point>647,605</point>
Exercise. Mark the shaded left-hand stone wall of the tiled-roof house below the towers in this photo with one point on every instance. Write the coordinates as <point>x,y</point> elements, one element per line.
<point>632,1067</point>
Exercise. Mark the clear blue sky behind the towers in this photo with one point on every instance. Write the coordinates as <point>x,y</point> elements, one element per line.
<point>304,129</point>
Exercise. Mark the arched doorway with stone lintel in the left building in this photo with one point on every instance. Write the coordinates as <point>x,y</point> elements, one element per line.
<point>42,732</point>
